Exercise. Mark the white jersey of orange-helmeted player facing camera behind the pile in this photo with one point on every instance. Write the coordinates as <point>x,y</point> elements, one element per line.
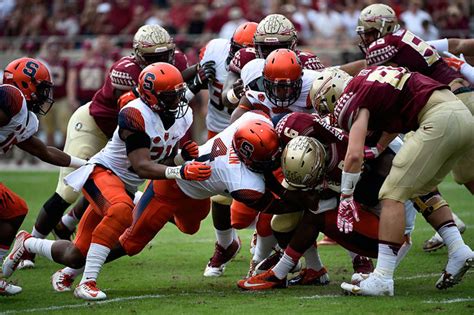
<point>254,69</point>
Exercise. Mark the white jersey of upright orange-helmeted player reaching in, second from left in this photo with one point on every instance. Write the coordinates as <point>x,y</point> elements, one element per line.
<point>137,116</point>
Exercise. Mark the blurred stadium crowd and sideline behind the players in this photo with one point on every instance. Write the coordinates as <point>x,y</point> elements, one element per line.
<point>71,31</point>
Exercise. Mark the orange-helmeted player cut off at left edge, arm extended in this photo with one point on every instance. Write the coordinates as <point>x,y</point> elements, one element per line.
<point>25,92</point>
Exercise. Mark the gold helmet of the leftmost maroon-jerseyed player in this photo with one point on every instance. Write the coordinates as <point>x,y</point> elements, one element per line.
<point>152,43</point>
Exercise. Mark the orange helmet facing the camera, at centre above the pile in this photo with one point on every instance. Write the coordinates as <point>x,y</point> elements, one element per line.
<point>282,77</point>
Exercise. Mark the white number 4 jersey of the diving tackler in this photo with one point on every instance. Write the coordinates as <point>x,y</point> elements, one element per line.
<point>228,173</point>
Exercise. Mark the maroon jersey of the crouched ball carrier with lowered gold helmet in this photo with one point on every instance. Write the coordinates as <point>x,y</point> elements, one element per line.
<point>312,125</point>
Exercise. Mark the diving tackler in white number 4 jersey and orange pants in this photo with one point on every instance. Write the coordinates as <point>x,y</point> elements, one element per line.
<point>238,157</point>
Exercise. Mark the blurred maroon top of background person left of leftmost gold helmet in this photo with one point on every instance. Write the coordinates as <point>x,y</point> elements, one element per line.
<point>90,77</point>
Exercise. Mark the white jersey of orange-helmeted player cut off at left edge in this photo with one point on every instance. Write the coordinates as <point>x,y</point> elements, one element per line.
<point>22,125</point>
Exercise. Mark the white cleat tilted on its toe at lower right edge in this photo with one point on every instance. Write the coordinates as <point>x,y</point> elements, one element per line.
<point>457,267</point>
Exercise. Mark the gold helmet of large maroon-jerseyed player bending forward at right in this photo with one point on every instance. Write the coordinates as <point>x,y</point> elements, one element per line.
<point>327,87</point>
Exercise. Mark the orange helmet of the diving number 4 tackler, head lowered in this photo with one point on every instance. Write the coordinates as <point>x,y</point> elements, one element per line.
<point>257,145</point>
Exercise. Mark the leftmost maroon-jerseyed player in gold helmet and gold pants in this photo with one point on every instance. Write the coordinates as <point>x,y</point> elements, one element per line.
<point>93,124</point>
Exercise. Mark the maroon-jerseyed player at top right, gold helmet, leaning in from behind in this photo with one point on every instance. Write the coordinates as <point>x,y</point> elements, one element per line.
<point>385,43</point>
